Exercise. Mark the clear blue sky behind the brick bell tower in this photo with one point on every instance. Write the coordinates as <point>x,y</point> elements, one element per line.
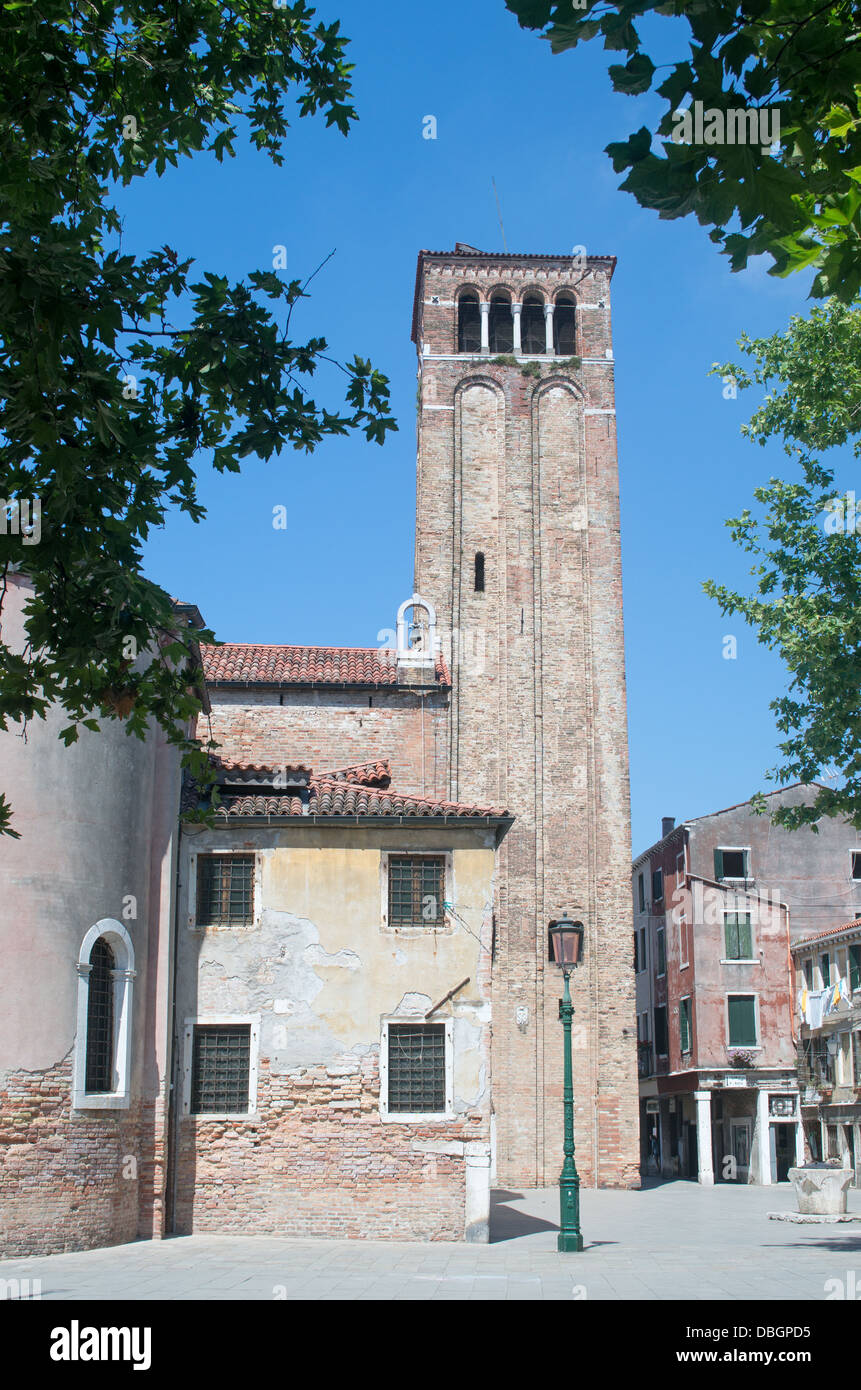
<point>702,733</point>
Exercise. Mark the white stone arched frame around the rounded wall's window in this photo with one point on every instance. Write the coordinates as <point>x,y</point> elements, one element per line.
<point>119,1099</point>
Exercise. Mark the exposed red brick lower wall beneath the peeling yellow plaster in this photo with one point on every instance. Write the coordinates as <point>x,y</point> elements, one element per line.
<point>318,1160</point>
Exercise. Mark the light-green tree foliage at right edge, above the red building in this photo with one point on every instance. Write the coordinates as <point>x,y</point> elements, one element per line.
<point>807,553</point>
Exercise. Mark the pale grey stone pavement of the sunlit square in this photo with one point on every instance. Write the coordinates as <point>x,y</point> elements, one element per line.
<point>671,1241</point>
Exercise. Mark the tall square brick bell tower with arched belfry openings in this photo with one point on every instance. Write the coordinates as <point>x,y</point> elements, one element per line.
<point>518,548</point>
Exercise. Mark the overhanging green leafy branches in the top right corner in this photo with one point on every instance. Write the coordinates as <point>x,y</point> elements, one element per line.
<point>803,205</point>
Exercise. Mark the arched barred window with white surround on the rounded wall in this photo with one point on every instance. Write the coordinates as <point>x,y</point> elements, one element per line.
<point>106,971</point>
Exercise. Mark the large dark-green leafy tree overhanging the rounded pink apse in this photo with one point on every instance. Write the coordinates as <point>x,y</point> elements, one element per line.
<point>120,375</point>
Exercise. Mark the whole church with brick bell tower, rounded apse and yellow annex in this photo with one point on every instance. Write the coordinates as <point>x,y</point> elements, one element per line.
<point>332,1011</point>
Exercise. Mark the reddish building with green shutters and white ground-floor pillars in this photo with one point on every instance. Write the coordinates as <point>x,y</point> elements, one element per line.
<point>718,903</point>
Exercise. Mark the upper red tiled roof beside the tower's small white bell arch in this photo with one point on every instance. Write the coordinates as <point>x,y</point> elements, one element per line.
<point>254,664</point>
